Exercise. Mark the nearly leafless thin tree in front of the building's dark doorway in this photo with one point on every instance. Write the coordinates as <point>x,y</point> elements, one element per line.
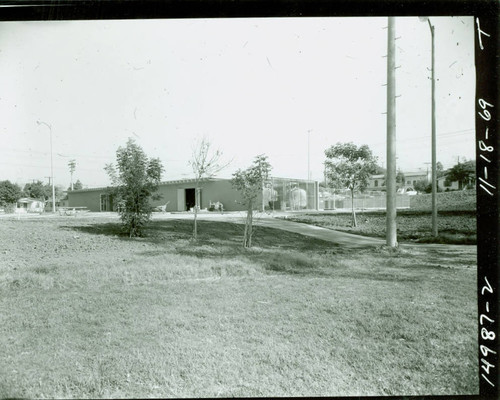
<point>206,163</point>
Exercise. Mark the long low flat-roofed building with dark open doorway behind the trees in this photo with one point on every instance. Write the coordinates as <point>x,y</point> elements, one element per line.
<point>179,195</point>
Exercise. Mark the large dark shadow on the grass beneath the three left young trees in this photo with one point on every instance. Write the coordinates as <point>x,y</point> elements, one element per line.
<point>277,251</point>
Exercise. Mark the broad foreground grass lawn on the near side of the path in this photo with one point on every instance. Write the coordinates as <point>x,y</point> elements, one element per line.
<point>87,313</point>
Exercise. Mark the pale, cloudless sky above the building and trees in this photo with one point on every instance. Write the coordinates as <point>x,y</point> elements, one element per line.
<point>285,87</point>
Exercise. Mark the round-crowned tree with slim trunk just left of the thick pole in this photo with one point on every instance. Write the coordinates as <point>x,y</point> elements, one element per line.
<point>349,166</point>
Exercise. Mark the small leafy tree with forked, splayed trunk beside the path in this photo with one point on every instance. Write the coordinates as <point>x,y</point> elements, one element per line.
<point>250,183</point>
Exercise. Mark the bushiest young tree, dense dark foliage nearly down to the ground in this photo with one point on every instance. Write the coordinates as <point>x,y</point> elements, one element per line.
<point>135,181</point>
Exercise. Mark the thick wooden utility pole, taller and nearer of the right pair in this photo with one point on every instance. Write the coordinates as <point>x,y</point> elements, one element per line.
<point>391,234</point>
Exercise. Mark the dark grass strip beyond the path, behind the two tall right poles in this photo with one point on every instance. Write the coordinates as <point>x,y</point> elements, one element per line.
<point>412,226</point>
